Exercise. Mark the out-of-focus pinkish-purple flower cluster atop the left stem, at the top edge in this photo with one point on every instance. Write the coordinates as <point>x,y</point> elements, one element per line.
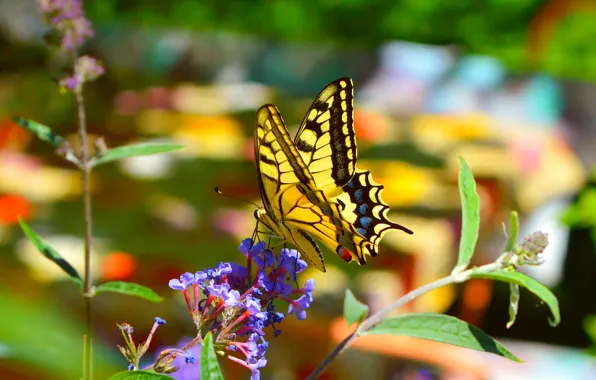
<point>68,18</point>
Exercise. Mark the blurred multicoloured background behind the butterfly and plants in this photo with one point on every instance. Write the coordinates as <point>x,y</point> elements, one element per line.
<point>505,84</point>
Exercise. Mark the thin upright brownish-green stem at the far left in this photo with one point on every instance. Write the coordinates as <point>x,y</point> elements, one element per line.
<point>86,173</point>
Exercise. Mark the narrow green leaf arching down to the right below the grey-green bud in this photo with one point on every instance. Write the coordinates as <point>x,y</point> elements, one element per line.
<point>529,283</point>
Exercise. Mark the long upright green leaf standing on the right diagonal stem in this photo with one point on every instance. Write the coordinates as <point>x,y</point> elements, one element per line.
<point>470,216</point>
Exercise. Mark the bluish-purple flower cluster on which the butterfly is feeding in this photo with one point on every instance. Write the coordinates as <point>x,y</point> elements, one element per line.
<point>233,302</point>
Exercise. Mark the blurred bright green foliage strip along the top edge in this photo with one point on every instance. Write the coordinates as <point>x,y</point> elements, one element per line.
<point>507,29</point>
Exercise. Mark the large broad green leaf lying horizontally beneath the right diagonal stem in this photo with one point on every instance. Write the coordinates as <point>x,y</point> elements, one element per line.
<point>441,328</point>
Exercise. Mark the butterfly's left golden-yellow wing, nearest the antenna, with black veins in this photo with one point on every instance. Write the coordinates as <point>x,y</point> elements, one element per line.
<point>281,174</point>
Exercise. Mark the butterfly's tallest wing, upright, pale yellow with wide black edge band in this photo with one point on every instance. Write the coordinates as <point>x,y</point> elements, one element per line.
<point>326,139</point>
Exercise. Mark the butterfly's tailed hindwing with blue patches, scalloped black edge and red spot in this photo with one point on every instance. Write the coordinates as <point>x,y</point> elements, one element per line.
<point>365,212</point>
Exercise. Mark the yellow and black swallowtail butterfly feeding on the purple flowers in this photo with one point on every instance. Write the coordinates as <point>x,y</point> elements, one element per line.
<point>310,186</point>
